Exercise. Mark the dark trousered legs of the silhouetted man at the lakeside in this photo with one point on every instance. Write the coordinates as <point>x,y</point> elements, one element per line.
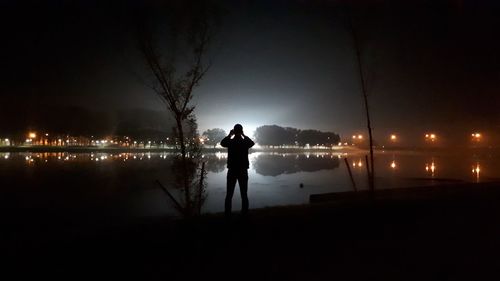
<point>242,177</point>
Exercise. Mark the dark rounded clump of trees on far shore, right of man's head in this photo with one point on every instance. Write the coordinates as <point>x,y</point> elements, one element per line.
<point>276,135</point>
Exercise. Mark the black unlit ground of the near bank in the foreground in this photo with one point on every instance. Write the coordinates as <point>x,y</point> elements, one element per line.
<point>439,233</point>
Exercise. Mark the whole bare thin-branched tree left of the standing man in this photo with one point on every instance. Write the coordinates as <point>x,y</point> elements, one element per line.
<point>174,56</point>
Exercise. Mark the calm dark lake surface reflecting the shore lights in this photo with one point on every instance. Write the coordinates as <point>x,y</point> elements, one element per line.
<point>122,185</point>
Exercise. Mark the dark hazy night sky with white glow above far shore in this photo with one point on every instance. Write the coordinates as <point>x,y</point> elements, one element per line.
<point>431,65</point>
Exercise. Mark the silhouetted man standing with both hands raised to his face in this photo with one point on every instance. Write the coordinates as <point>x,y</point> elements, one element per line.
<point>237,164</point>
